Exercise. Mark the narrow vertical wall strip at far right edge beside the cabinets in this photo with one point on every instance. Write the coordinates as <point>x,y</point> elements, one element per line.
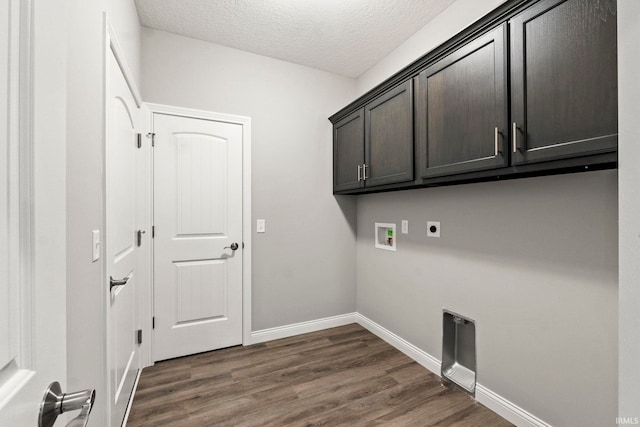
<point>629,206</point>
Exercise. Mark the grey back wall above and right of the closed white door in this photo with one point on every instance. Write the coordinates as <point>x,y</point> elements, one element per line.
<point>303,266</point>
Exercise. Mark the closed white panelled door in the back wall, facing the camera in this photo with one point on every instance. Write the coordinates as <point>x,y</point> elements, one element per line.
<point>198,222</point>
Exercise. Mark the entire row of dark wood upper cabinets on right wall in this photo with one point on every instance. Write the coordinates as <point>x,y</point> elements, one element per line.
<point>530,89</point>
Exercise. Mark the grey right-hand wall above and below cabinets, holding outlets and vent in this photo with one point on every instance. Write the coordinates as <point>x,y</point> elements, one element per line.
<point>533,261</point>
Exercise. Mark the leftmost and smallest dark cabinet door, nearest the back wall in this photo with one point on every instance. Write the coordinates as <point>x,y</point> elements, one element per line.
<point>348,152</point>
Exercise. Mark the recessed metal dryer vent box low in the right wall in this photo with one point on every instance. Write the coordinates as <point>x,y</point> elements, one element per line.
<point>459,351</point>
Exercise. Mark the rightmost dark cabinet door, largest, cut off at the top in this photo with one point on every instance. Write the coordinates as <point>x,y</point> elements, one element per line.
<point>563,80</point>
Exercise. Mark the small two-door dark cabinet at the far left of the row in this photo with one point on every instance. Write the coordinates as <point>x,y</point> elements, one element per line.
<point>373,146</point>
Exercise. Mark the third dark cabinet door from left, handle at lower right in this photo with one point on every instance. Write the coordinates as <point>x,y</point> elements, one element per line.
<point>462,109</point>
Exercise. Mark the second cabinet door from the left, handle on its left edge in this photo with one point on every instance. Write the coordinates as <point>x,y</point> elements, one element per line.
<point>389,137</point>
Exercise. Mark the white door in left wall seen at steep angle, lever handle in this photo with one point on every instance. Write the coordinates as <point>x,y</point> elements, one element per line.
<point>123,211</point>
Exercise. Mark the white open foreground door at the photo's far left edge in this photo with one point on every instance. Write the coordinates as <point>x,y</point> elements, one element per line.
<point>32,217</point>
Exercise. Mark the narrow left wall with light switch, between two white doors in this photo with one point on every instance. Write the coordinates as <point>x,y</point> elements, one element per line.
<point>85,187</point>
